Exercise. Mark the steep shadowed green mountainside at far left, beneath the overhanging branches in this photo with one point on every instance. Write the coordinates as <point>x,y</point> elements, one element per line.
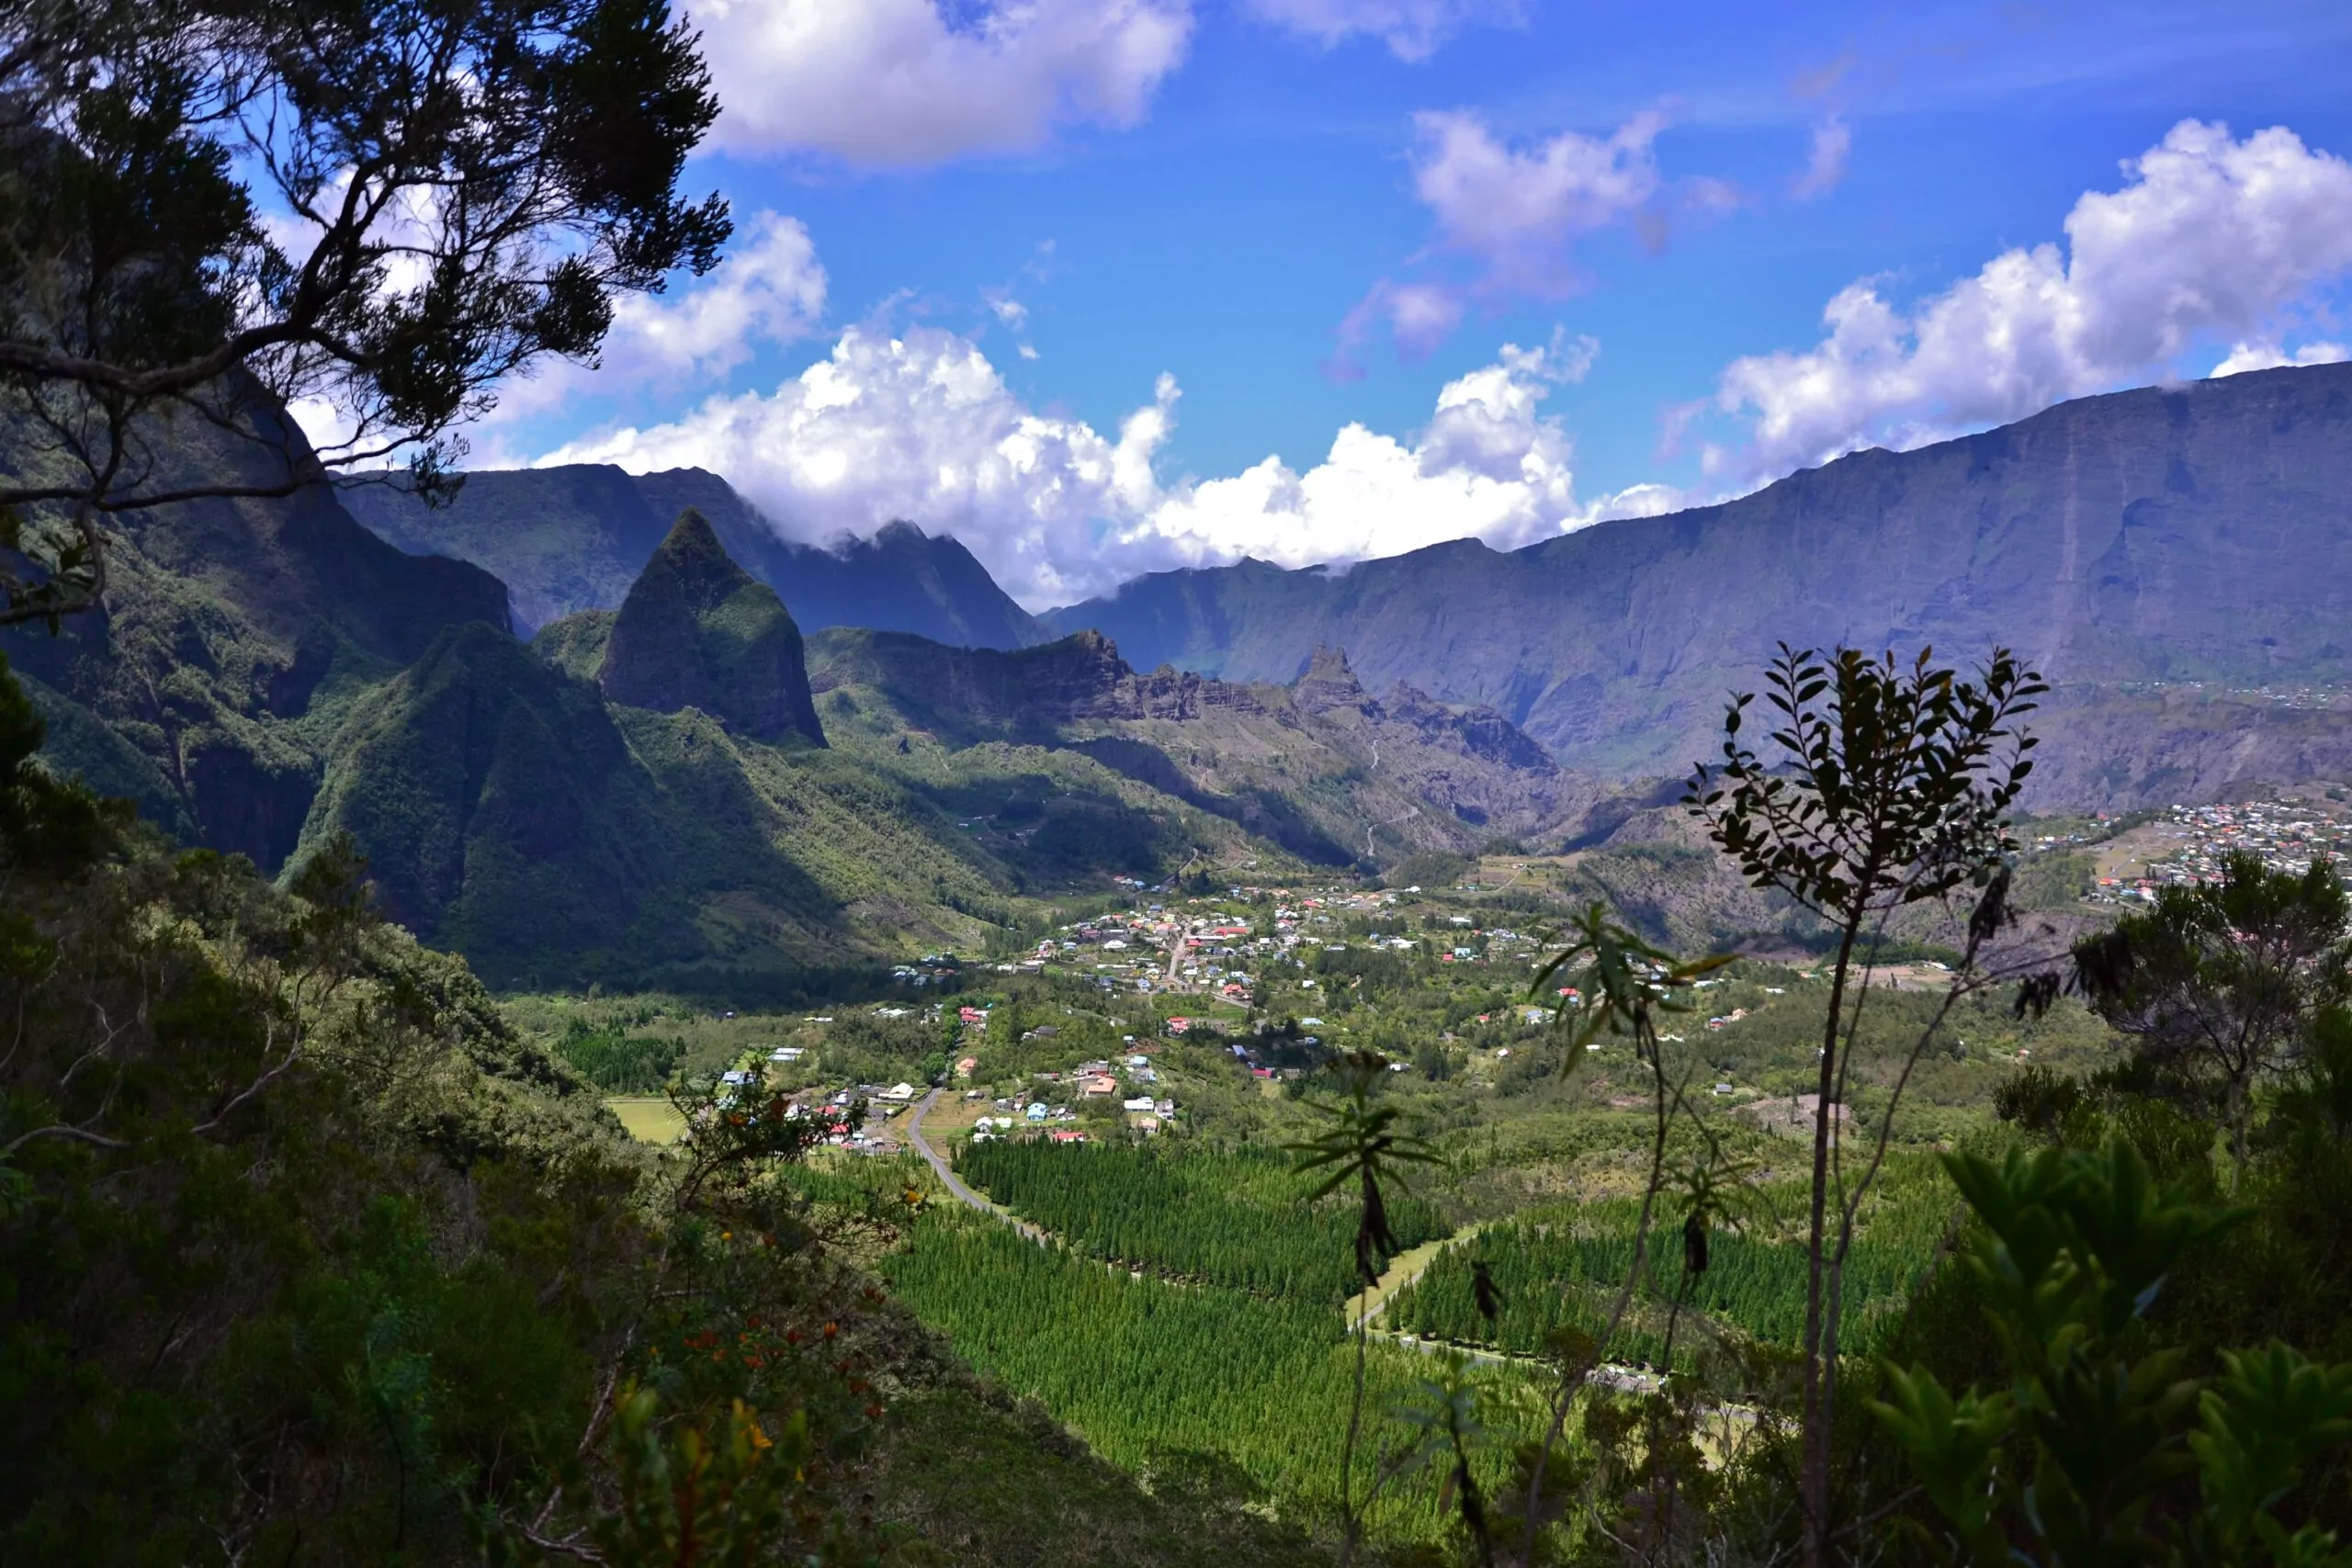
<point>234,638</point>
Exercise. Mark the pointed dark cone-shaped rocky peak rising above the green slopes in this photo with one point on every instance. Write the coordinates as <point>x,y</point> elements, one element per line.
<point>697,631</point>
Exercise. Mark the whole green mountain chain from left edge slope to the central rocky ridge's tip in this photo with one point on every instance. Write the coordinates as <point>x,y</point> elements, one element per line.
<point>648,796</point>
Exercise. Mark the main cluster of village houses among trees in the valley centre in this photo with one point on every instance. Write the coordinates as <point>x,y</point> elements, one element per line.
<point>1170,972</point>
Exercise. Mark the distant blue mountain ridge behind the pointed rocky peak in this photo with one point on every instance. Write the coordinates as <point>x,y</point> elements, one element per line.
<point>573,540</point>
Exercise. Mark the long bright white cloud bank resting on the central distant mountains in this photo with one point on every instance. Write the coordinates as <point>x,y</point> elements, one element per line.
<point>923,427</point>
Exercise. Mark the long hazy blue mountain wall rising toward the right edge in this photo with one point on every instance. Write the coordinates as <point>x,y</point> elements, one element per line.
<point>2170,558</point>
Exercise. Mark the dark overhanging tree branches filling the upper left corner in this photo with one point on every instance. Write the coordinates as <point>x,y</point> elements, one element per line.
<point>215,208</point>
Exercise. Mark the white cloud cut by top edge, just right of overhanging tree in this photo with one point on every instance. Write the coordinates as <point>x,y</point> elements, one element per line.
<point>926,81</point>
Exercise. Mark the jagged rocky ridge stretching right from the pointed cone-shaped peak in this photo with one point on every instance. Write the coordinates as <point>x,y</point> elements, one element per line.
<point>1321,770</point>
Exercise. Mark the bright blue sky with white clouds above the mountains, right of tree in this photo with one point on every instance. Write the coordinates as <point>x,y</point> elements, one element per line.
<point>1062,276</point>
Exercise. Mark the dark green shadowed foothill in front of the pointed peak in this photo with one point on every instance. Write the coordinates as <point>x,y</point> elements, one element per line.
<point>519,817</point>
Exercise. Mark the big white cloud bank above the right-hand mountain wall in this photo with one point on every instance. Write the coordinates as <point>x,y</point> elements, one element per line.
<point>2207,239</point>
